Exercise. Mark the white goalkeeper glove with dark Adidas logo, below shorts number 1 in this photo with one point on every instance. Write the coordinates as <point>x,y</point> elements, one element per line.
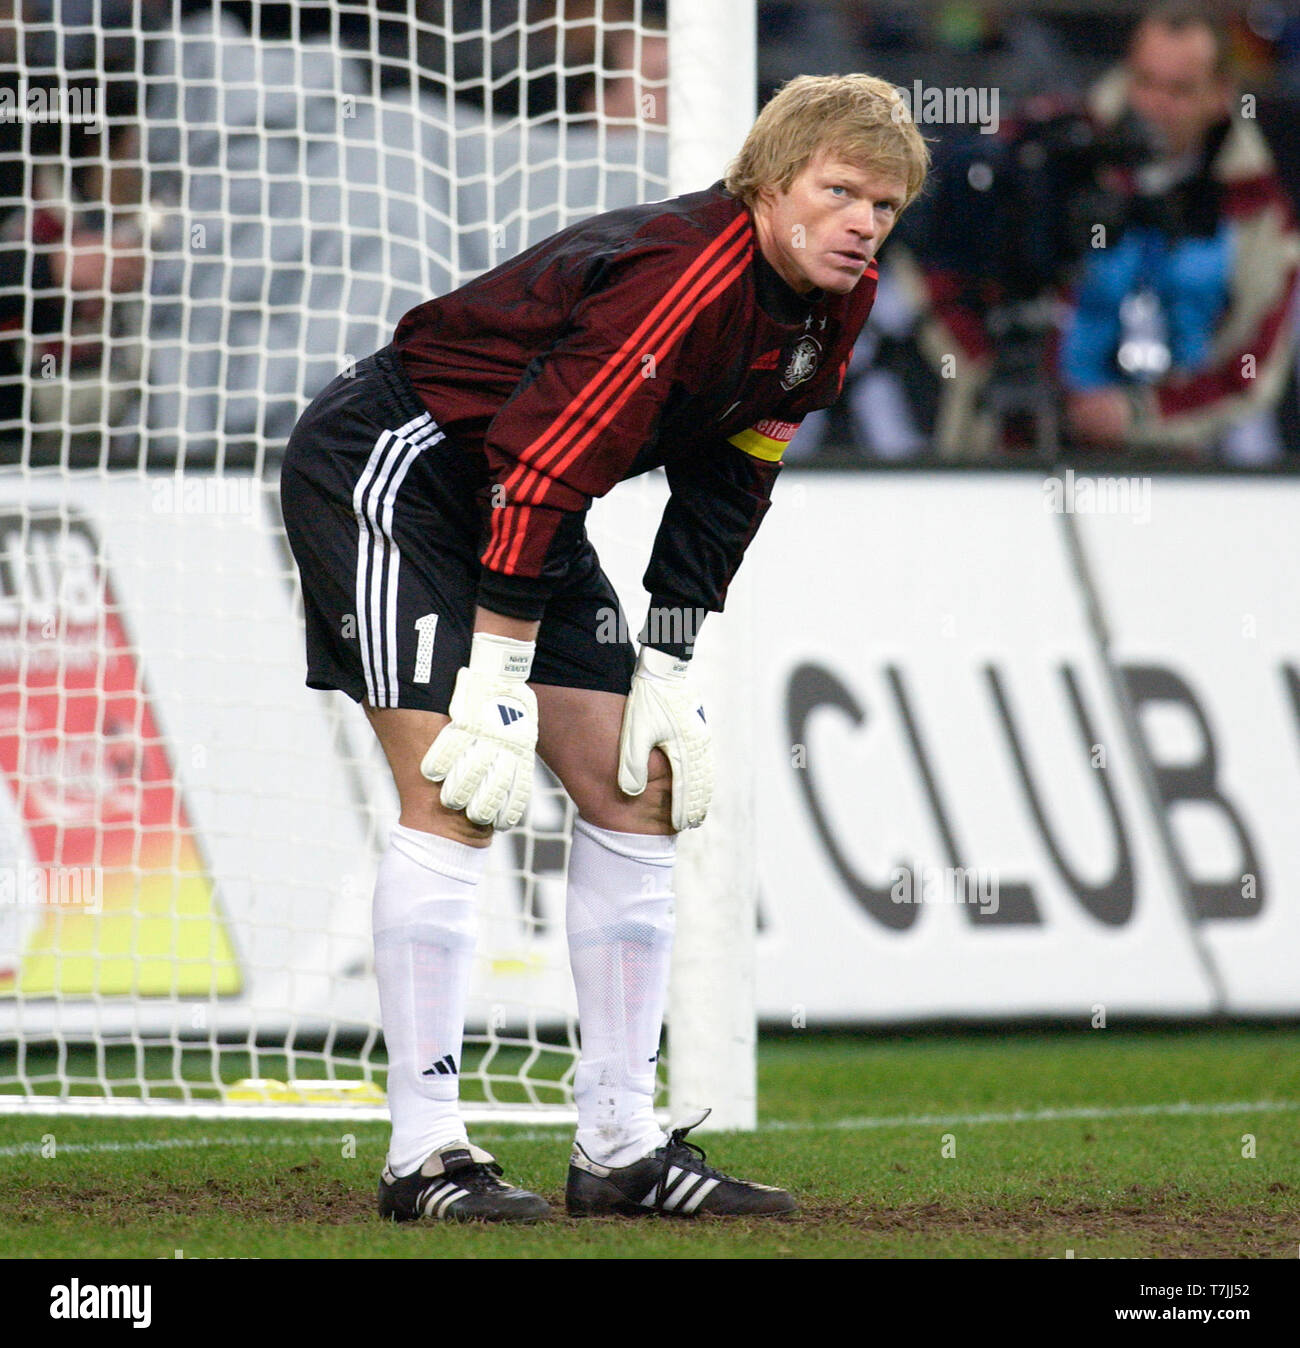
<point>485,758</point>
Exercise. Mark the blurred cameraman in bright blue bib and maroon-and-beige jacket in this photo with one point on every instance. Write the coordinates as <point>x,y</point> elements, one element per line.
<point>1182,320</point>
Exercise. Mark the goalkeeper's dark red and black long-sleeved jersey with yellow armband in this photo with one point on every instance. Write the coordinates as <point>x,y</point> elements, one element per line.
<point>649,336</point>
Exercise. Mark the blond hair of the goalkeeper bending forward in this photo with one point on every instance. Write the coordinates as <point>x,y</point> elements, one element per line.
<point>857,118</point>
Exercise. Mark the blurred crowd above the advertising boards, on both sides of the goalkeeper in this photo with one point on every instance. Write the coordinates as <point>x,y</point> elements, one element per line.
<point>1104,262</point>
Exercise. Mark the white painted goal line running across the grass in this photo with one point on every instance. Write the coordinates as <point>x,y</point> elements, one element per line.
<point>910,1121</point>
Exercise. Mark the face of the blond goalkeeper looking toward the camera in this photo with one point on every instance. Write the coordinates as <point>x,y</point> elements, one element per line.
<point>829,226</point>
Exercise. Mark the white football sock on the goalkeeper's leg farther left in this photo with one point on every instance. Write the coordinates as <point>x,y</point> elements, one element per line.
<point>425,925</point>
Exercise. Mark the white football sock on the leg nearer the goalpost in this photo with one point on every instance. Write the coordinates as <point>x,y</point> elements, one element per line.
<point>620,920</point>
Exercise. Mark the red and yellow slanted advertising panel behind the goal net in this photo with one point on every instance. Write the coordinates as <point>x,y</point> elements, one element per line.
<point>115,893</point>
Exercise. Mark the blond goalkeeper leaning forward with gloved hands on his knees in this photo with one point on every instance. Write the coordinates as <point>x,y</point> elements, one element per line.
<point>435,501</point>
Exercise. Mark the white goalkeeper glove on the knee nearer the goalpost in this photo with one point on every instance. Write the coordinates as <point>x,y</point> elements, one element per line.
<point>663,712</point>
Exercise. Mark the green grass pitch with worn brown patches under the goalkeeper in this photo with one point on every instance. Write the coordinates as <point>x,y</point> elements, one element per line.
<point>1019,1145</point>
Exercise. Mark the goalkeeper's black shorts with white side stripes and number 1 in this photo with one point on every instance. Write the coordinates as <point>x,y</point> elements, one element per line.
<point>386,518</point>
